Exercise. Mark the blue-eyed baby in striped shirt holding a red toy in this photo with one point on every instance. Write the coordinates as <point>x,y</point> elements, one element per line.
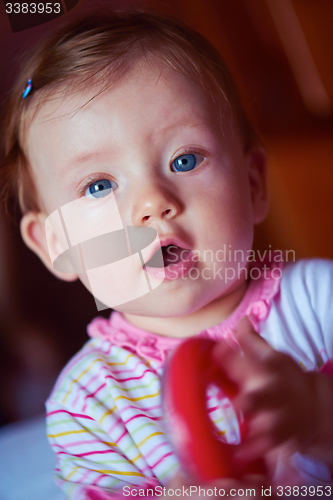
<point>138,172</point>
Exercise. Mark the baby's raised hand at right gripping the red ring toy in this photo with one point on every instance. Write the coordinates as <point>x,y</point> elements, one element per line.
<point>281,403</point>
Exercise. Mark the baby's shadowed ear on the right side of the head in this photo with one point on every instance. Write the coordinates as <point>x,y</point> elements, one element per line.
<point>257,171</point>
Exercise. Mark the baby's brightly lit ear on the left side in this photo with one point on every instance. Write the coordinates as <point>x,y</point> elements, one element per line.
<point>34,236</point>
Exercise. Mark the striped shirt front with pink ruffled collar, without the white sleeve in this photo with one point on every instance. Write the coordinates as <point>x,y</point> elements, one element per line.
<point>105,418</point>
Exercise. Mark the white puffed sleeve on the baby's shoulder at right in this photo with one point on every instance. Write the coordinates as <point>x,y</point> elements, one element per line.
<point>300,322</point>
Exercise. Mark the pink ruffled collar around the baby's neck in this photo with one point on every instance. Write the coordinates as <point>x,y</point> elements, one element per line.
<point>255,304</point>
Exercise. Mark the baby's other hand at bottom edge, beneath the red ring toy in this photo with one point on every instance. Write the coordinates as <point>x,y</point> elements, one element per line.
<point>226,487</point>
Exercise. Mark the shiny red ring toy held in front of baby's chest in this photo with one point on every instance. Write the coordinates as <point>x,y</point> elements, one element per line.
<point>191,369</point>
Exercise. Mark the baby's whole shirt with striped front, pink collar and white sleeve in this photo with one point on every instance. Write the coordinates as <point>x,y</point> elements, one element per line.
<point>105,417</point>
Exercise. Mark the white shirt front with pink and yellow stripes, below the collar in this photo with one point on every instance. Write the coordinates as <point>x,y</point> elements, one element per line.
<point>105,421</point>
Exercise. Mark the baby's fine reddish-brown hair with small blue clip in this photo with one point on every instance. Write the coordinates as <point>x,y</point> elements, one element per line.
<point>96,51</point>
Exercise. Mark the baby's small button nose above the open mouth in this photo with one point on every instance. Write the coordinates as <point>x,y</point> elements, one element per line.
<point>155,202</point>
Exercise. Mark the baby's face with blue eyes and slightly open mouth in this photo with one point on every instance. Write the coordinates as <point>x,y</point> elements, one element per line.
<point>148,152</point>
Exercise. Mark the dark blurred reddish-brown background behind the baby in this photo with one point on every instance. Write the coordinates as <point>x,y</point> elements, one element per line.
<point>281,53</point>
